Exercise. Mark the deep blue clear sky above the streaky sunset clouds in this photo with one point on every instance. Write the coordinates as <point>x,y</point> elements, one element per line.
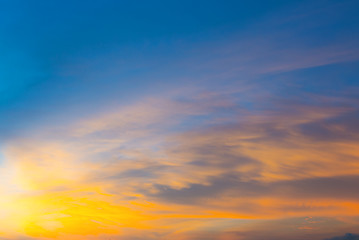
<point>64,51</point>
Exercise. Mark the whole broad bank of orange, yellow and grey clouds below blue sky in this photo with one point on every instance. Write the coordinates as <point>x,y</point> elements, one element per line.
<point>150,163</point>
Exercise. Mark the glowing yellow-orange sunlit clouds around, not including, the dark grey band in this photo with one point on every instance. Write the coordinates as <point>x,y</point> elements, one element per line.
<point>56,189</point>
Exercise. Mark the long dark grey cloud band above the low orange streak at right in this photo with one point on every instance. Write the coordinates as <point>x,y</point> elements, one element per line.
<point>342,187</point>
